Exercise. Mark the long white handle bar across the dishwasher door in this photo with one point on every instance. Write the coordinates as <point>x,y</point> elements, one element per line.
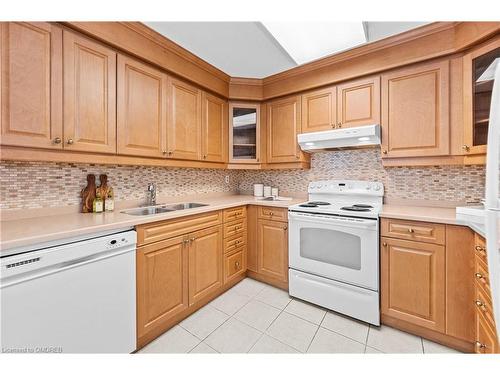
<point>31,275</point>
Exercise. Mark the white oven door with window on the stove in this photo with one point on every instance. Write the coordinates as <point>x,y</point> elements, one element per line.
<point>339,248</point>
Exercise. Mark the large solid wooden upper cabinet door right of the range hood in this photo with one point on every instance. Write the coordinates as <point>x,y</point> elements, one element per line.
<point>415,111</point>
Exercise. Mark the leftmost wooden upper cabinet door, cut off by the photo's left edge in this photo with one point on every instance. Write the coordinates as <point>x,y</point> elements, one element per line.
<point>31,84</point>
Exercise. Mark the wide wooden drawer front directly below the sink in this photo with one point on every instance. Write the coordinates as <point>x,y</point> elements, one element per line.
<point>149,233</point>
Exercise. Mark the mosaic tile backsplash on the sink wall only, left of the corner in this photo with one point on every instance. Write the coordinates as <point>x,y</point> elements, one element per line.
<point>38,185</point>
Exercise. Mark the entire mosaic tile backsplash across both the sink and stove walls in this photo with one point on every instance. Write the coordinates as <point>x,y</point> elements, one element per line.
<point>39,185</point>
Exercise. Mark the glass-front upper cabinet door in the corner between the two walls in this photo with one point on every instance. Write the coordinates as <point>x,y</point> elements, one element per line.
<point>244,133</point>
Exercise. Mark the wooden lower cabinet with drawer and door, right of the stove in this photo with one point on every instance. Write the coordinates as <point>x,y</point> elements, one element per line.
<point>427,284</point>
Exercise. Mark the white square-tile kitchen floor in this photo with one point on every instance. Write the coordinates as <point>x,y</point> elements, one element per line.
<point>257,318</point>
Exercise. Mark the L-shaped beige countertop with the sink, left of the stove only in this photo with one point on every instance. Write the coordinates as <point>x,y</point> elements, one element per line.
<point>28,232</point>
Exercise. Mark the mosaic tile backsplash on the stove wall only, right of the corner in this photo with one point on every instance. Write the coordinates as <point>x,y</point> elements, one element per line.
<point>440,183</point>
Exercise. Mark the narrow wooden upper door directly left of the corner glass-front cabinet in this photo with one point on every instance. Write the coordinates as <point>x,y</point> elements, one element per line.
<point>214,128</point>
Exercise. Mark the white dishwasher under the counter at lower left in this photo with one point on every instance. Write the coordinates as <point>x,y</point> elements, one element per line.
<point>78,297</point>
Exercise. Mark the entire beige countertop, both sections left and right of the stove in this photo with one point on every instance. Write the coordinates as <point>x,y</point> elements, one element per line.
<point>33,231</point>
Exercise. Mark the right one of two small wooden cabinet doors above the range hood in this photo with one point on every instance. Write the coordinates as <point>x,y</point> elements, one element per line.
<point>358,102</point>
